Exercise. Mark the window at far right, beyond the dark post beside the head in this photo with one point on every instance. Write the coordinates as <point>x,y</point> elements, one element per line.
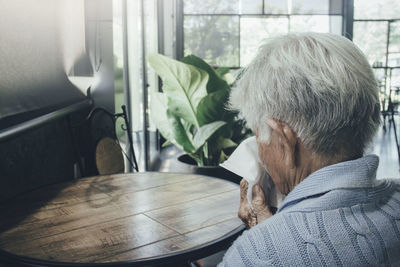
<point>377,33</point>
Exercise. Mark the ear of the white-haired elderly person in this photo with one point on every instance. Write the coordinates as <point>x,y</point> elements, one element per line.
<point>288,140</point>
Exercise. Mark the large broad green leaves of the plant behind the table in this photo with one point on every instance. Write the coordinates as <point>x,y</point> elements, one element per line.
<point>191,111</point>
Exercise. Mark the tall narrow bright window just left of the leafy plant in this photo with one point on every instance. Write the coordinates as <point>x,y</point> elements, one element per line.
<point>135,90</point>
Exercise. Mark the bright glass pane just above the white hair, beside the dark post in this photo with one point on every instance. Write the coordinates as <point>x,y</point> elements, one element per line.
<point>317,23</point>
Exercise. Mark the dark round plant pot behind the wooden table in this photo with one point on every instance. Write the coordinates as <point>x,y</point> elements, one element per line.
<point>186,164</point>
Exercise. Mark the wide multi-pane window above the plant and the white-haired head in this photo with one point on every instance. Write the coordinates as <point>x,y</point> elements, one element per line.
<point>228,33</point>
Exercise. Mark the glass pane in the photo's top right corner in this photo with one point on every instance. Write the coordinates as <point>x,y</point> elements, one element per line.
<point>376,9</point>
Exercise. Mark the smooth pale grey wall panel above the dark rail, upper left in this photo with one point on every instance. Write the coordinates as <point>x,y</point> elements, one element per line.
<point>40,43</point>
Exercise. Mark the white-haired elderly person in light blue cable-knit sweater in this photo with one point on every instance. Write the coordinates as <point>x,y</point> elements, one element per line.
<point>312,101</point>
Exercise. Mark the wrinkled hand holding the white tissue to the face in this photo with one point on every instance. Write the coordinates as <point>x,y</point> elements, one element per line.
<point>259,212</point>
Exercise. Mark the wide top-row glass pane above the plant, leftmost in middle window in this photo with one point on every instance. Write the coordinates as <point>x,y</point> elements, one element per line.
<point>211,7</point>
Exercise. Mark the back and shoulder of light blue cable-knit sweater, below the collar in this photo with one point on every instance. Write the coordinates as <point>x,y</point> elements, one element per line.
<point>287,236</point>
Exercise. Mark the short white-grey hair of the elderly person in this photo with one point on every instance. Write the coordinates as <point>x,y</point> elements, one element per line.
<point>320,84</point>
